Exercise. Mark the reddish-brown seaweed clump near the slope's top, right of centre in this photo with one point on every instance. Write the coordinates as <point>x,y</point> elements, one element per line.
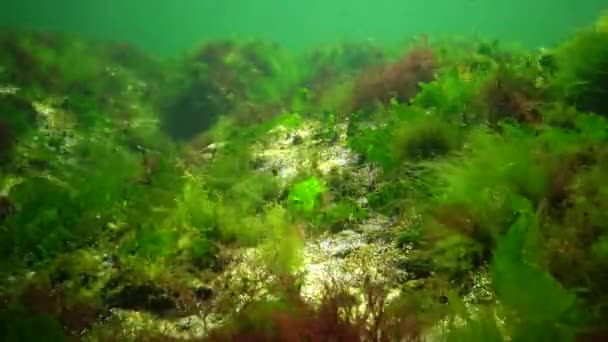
<point>399,80</point>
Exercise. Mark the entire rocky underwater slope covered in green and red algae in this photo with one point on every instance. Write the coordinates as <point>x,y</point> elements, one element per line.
<point>453,189</point>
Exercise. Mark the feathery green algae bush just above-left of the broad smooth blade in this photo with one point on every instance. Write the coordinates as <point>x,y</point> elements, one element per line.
<point>475,194</point>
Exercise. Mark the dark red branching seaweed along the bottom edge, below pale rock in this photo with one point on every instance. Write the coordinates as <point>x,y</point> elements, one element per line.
<point>337,318</point>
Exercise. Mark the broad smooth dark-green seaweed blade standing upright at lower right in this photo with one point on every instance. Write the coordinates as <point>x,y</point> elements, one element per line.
<point>546,307</point>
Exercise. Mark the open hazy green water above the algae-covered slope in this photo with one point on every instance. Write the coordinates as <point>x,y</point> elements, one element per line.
<point>166,27</point>
